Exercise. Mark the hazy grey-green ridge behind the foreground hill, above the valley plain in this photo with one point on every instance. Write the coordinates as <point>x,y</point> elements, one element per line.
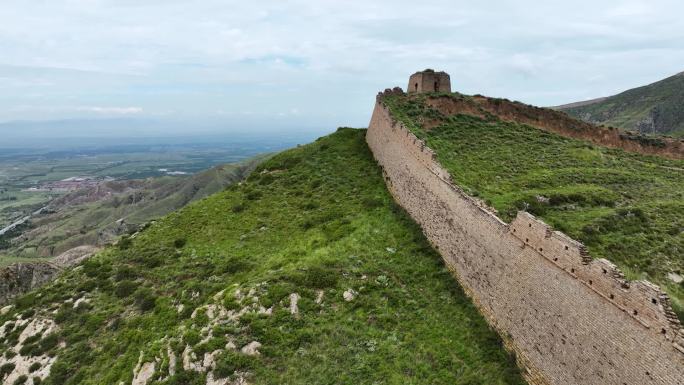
<point>98,215</point>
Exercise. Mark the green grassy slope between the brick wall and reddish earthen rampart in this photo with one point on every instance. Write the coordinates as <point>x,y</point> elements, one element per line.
<point>625,207</point>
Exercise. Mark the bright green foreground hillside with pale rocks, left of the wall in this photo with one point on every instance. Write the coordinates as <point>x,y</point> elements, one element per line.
<point>310,257</point>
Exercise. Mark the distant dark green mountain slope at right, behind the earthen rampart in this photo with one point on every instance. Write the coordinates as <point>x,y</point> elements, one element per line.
<point>657,108</point>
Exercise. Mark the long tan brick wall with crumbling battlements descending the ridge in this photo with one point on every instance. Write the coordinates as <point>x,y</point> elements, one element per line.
<point>570,319</point>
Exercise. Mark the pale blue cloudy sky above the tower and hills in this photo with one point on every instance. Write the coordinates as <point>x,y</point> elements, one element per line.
<point>317,63</point>
